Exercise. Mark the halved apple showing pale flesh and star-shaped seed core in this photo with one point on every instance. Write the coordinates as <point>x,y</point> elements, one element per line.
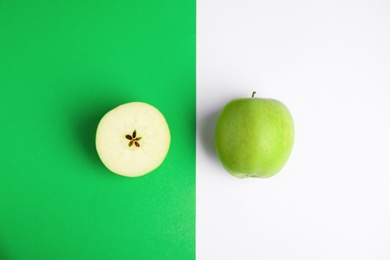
<point>133,139</point>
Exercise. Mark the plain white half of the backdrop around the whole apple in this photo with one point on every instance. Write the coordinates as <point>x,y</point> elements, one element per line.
<point>329,62</point>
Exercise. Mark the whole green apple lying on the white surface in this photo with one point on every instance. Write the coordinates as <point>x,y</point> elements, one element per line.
<point>254,137</point>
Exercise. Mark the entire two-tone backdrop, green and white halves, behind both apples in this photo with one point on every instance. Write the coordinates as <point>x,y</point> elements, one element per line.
<point>63,64</point>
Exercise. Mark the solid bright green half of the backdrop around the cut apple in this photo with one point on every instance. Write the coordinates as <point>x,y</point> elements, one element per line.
<point>63,65</point>
